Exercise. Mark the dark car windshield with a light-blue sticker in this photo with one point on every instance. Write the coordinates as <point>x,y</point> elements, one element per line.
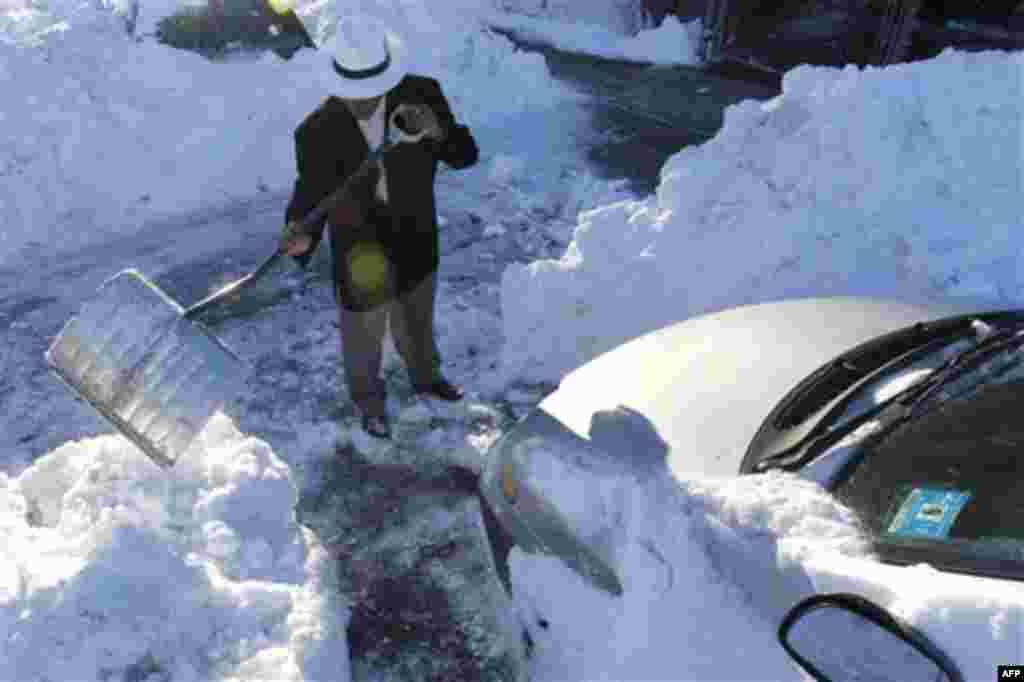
<point>952,477</point>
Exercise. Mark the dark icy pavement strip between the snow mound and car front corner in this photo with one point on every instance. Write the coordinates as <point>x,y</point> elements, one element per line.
<point>415,558</point>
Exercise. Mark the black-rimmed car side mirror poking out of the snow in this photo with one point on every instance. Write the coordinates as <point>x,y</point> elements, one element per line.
<point>839,637</point>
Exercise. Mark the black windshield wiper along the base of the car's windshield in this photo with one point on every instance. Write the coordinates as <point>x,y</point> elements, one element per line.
<point>907,404</point>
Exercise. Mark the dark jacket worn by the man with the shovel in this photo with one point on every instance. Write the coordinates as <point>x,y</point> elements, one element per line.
<point>330,148</point>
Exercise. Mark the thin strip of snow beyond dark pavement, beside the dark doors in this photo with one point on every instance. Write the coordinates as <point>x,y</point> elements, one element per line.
<point>670,44</point>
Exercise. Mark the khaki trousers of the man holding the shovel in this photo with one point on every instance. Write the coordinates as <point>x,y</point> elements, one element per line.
<point>412,323</point>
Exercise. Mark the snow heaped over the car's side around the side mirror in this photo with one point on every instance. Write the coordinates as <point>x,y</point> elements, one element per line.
<point>710,566</point>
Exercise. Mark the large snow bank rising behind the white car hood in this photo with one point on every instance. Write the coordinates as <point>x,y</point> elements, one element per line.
<point>901,182</point>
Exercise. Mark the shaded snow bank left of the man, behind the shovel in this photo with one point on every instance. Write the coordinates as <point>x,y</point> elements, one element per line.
<point>82,160</point>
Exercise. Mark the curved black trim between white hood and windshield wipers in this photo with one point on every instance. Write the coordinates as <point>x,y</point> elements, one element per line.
<point>802,413</point>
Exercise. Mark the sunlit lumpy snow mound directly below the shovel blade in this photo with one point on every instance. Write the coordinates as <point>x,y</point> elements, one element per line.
<point>118,570</point>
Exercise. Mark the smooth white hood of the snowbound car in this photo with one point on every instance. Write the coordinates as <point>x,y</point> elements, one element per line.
<point>705,386</point>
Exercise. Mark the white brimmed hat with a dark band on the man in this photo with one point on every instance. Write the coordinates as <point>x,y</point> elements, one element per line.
<point>369,58</point>
